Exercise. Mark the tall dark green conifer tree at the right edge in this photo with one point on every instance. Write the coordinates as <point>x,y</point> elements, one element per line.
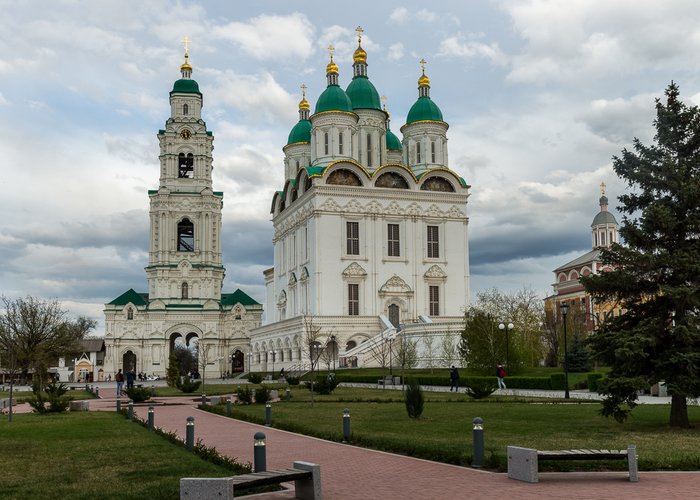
<point>655,277</point>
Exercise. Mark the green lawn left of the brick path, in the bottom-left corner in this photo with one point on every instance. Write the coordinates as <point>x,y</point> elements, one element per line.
<point>92,455</point>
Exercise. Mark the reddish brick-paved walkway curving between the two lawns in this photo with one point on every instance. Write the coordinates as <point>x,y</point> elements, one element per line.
<point>350,472</point>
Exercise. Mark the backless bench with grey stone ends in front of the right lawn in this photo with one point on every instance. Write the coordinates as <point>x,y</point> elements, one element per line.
<point>523,462</point>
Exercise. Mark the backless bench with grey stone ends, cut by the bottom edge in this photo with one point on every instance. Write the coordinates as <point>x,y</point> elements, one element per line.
<point>306,477</point>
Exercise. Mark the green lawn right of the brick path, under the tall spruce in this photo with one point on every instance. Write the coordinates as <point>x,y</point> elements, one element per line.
<point>444,432</point>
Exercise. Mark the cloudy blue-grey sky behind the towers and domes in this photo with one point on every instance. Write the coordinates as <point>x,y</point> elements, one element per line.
<point>539,95</point>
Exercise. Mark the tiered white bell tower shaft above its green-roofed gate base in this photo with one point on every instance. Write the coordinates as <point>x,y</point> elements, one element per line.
<point>185,267</point>
